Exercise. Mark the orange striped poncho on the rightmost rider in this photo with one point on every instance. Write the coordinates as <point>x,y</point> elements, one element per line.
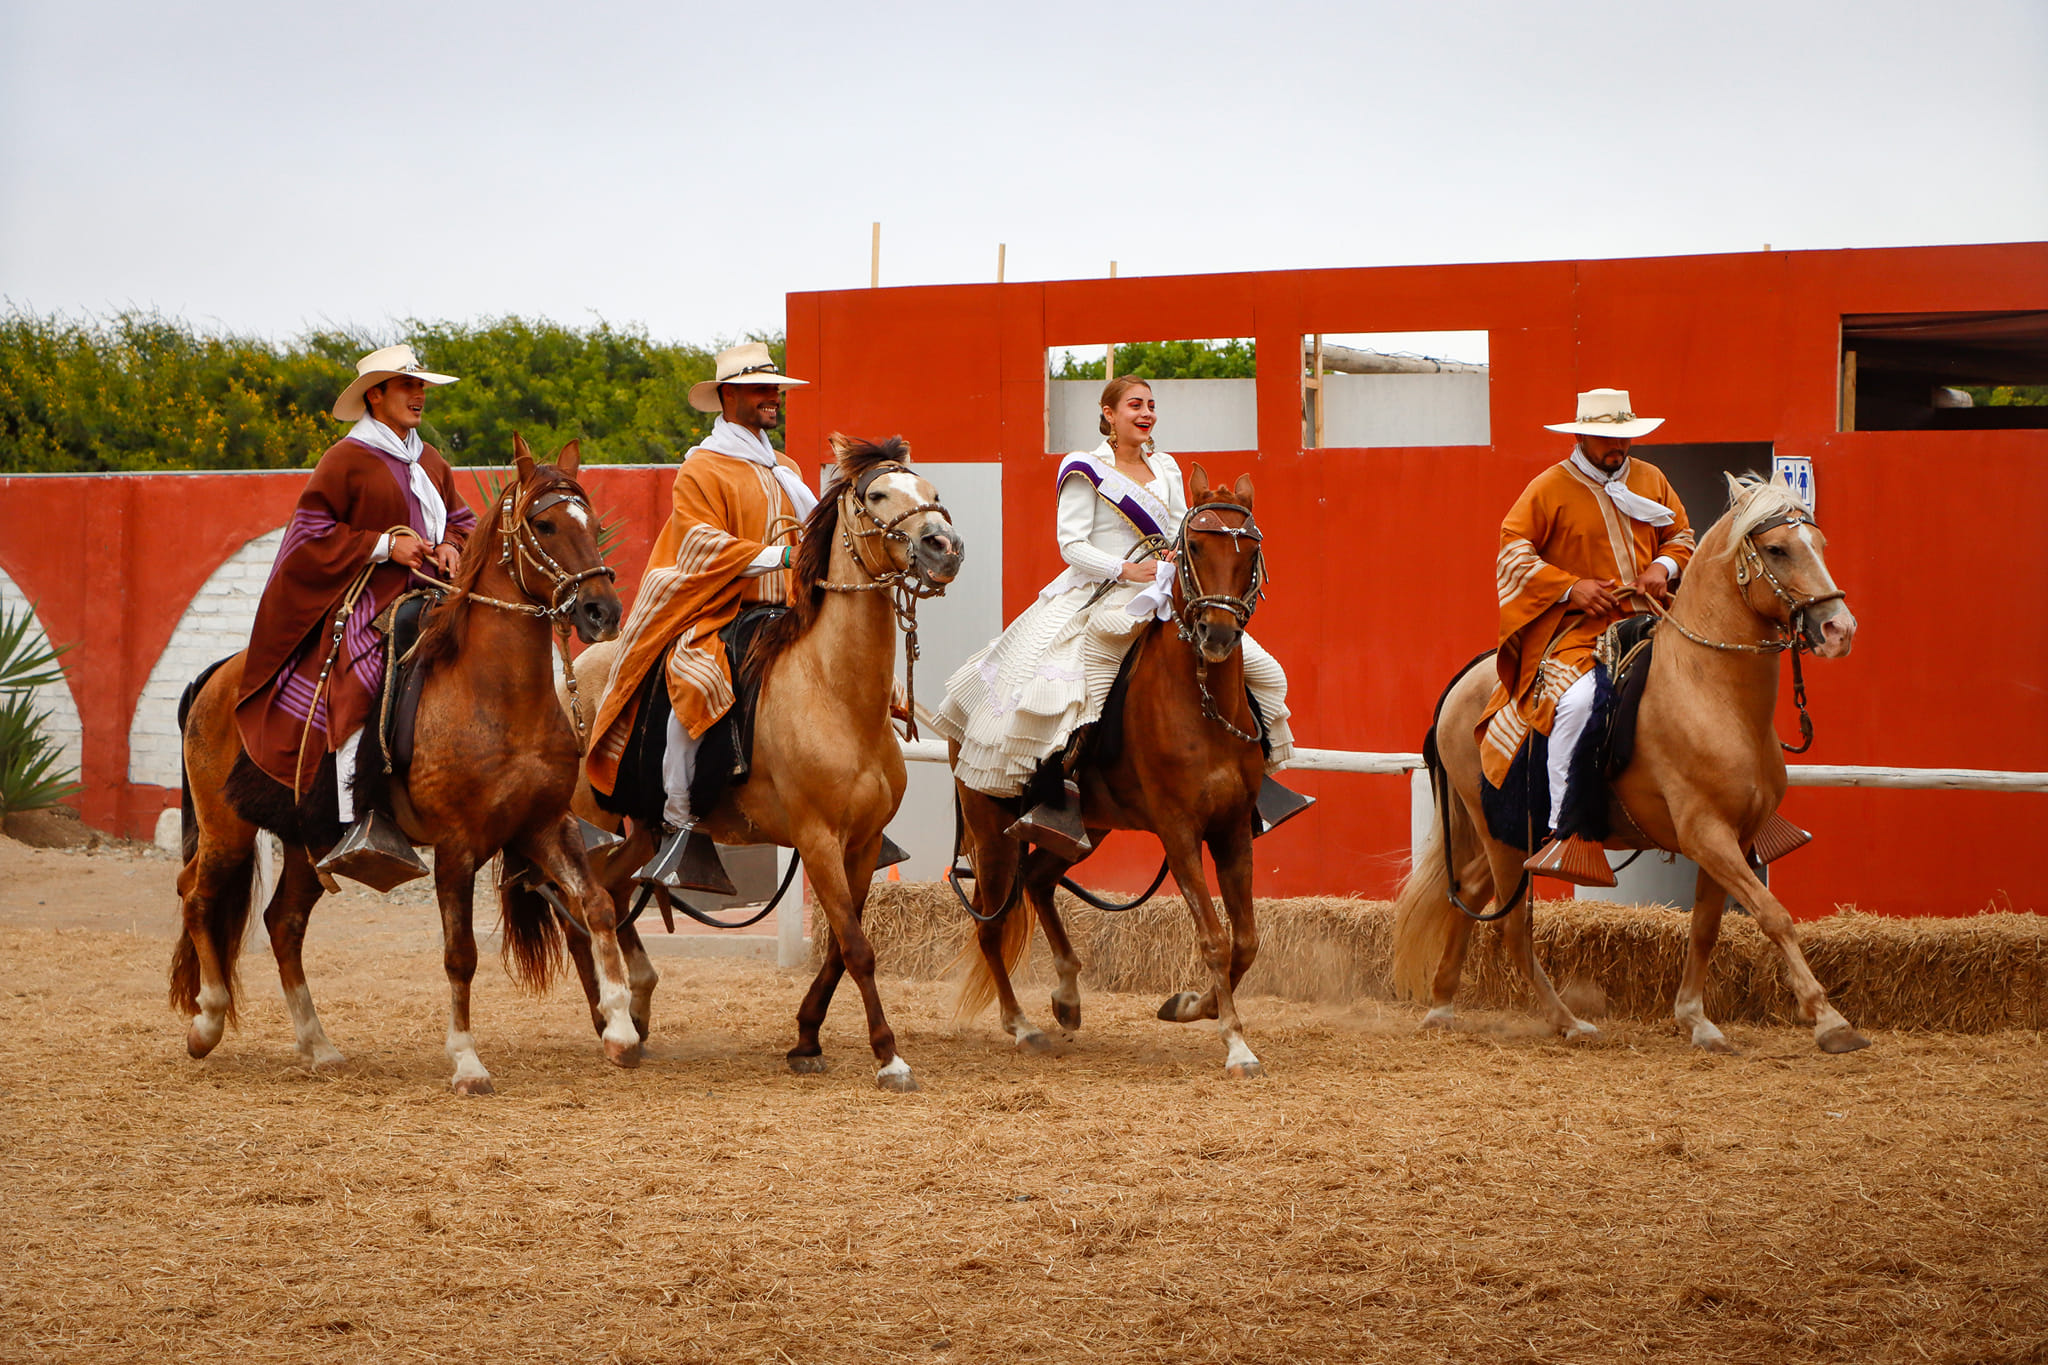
<point>1564,529</point>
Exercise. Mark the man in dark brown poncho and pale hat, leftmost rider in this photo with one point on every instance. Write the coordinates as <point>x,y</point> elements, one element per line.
<point>380,511</point>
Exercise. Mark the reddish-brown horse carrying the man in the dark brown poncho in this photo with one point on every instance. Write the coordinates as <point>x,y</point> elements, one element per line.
<point>495,766</point>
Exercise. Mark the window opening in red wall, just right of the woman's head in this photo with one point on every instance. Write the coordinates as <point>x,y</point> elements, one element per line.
<point>1363,390</point>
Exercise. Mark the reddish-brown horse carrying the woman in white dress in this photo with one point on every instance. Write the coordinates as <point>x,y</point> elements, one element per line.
<point>1189,773</point>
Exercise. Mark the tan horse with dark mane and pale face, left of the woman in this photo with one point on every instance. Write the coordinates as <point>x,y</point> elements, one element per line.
<point>828,770</point>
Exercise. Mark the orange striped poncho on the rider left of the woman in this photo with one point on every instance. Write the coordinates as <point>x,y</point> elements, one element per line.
<point>724,515</point>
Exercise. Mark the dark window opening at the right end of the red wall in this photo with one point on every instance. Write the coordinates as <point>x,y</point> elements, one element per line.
<point>1945,371</point>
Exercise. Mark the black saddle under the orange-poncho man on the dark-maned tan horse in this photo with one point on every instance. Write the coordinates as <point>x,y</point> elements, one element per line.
<point>724,756</point>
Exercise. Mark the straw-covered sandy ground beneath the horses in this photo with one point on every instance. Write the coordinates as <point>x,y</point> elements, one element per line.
<point>1383,1196</point>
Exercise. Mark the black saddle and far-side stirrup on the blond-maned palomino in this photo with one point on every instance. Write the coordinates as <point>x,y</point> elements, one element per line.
<point>1621,674</point>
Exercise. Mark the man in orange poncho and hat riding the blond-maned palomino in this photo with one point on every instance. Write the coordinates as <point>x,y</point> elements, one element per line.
<point>1584,545</point>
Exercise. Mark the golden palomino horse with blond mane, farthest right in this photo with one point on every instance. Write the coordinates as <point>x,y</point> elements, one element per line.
<point>1705,781</point>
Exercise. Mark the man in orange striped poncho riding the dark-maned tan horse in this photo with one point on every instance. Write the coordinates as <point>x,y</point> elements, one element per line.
<point>728,545</point>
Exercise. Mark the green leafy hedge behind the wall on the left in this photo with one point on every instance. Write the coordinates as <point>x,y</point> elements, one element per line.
<point>142,392</point>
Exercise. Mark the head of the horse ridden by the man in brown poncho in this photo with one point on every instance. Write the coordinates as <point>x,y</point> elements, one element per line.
<point>554,543</point>
